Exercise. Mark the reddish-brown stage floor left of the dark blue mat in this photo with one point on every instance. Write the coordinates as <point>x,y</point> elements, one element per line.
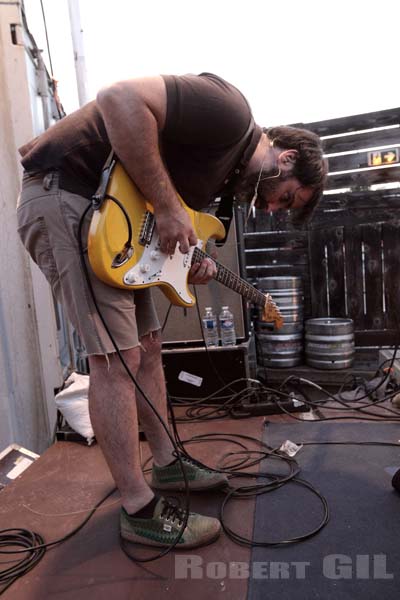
<point>70,477</point>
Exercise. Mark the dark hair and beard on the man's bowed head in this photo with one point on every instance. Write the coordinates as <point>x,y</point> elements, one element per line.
<point>310,168</point>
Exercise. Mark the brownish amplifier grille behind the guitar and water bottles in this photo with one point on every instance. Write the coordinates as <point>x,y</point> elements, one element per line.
<point>183,325</point>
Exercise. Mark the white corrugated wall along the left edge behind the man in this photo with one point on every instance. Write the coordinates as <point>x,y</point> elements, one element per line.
<point>29,368</point>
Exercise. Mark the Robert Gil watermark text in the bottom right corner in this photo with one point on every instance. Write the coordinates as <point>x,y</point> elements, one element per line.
<point>333,566</point>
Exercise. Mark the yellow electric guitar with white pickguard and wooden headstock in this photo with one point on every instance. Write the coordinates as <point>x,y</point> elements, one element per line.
<point>124,248</point>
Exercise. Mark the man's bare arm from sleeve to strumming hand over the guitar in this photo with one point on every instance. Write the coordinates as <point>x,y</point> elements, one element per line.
<point>134,114</point>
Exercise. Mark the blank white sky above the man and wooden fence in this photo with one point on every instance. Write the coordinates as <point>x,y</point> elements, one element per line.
<point>295,60</point>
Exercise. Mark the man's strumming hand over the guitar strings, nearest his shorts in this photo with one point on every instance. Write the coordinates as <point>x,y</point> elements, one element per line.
<point>175,227</point>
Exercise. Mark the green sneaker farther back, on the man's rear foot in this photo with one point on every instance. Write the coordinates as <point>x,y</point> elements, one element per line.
<point>199,477</point>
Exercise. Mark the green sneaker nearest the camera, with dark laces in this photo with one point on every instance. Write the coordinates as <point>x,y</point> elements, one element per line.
<point>163,528</point>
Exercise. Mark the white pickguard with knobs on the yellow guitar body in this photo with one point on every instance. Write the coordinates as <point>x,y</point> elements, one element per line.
<point>157,267</point>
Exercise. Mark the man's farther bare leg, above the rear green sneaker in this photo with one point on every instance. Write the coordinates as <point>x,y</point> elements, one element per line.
<point>152,381</point>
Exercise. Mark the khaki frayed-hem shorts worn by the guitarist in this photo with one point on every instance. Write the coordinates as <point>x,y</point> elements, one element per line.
<point>48,219</point>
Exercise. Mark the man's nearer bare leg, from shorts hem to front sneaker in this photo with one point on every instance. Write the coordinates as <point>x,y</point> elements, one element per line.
<point>113,415</point>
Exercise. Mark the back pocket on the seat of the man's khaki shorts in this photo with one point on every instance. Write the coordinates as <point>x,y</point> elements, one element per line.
<point>35,237</point>
